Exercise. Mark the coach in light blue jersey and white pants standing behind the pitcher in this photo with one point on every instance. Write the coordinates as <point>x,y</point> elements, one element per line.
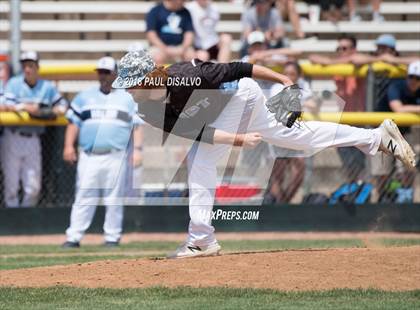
<point>103,120</point>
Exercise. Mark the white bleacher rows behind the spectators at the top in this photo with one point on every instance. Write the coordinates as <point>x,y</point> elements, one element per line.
<point>50,27</point>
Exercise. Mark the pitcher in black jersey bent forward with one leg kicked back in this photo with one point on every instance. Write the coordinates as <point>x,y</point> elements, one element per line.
<point>212,122</point>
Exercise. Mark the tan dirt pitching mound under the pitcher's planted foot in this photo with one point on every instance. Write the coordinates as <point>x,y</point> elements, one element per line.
<point>381,268</point>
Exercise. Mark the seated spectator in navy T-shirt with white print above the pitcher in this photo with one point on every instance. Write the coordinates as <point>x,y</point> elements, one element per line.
<point>170,32</point>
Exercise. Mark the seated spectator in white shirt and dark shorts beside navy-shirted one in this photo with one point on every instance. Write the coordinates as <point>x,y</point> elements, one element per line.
<point>209,45</point>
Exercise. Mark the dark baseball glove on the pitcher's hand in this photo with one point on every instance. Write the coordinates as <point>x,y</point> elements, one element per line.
<point>286,105</point>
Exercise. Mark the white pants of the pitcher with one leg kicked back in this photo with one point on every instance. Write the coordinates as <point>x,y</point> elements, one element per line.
<point>203,157</point>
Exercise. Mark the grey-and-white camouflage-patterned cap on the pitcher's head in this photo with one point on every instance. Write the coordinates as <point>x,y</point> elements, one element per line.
<point>133,68</point>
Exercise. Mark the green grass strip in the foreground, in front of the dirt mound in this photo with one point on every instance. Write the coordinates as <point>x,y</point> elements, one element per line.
<point>202,298</point>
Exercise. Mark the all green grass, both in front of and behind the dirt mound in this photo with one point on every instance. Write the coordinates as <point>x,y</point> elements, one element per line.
<point>14,257</point>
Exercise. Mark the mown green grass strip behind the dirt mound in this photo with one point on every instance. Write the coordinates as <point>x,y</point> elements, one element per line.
<point>24,256</point>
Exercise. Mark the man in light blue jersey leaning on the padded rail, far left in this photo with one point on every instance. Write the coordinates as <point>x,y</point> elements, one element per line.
<point>21,149</point>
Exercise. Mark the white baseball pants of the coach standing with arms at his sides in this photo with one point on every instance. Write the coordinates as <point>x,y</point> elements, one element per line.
<point>100,178</point>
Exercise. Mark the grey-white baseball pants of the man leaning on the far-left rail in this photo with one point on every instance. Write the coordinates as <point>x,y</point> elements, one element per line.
<point>21,161</point>
